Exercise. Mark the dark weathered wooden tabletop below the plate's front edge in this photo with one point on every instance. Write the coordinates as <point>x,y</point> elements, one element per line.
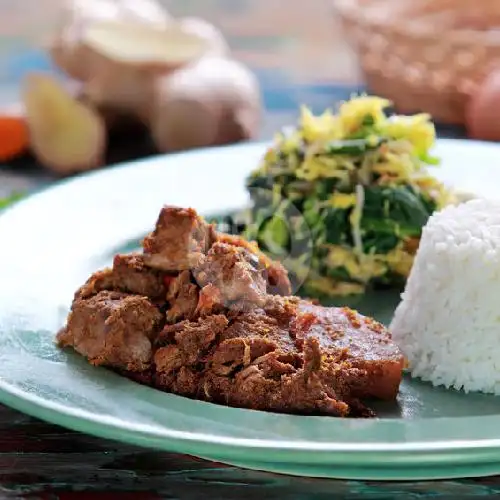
<point>41,461</point>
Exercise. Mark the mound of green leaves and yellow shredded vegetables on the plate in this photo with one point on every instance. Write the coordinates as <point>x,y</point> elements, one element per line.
<point>361,180</point>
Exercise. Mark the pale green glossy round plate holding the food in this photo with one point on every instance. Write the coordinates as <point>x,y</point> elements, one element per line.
<point>52,241</point>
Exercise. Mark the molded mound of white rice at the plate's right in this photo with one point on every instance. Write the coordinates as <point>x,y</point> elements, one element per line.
<point>448,322</point>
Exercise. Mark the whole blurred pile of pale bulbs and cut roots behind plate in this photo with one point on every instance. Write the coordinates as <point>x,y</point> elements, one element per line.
<point>136,64</point>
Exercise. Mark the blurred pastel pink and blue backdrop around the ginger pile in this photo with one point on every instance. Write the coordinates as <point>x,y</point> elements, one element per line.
<point>297,51</point>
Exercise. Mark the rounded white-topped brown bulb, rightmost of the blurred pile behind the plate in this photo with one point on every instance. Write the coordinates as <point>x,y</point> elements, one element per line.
<point>213,101</point>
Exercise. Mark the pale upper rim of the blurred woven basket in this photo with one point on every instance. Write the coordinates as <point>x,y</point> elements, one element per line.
<point>351,10</point>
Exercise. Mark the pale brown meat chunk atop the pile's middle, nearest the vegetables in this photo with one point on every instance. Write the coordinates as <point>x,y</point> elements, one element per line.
<point>234,272</point>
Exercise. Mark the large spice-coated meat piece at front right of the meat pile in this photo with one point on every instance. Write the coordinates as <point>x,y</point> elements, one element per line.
<point>289,356</point>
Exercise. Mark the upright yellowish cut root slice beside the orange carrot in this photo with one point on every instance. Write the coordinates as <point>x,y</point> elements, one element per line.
<point>66,135</point>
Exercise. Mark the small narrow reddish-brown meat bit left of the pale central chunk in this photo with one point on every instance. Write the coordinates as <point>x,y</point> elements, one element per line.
<point>182,297</point>
